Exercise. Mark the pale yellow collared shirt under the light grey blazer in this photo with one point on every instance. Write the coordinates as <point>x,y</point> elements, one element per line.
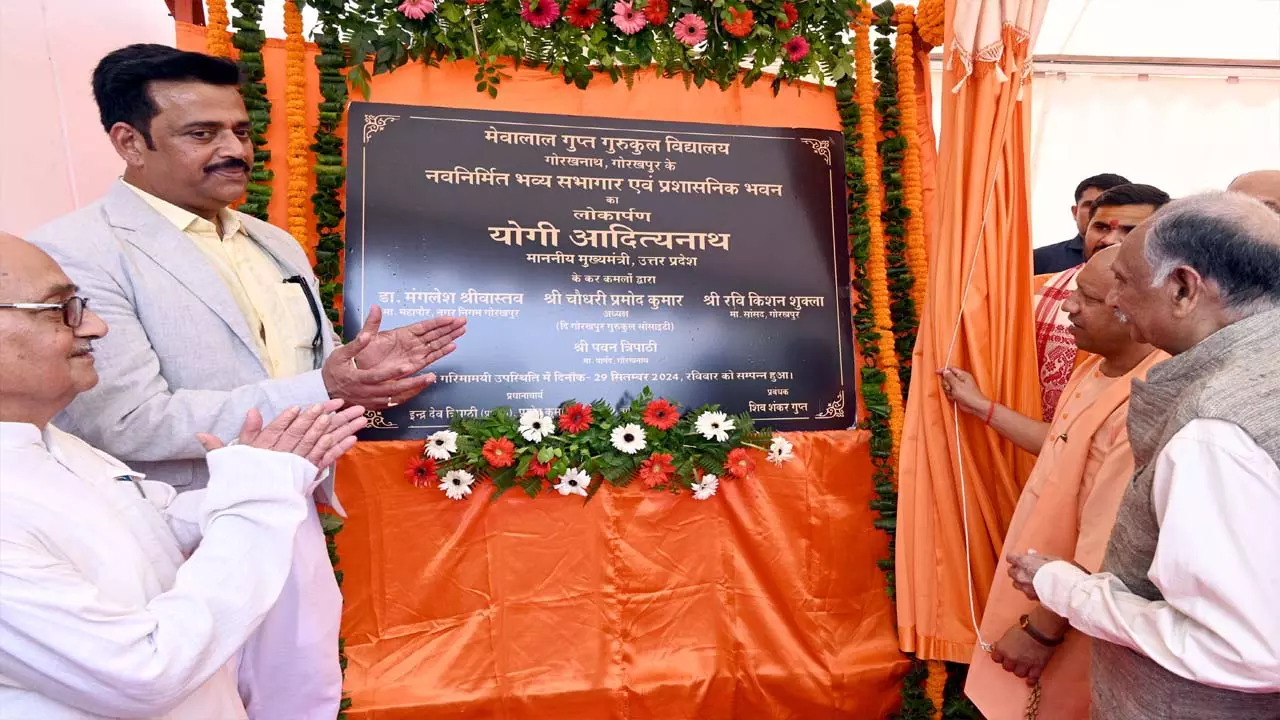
<point>278,313</point>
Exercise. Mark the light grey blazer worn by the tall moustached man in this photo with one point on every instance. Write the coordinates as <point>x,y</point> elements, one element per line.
<point>179,358</point>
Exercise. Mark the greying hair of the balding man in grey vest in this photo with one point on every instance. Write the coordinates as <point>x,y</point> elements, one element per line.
<point>1228,240</point>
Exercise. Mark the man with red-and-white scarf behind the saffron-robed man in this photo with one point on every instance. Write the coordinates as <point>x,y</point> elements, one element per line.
<point>1113,216</point>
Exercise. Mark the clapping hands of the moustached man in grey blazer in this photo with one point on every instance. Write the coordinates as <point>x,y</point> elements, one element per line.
<point>380,368</point>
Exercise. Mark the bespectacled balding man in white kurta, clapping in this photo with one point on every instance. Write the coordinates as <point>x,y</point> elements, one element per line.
<point>118,598</point>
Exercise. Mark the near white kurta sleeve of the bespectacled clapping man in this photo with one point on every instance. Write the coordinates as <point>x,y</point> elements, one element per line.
<point>61,639</point>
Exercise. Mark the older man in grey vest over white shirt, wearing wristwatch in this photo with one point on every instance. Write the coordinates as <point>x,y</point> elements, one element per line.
<point>1190,593</point>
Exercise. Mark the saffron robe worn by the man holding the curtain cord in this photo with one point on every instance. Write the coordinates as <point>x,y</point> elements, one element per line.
<point>1067,511</point>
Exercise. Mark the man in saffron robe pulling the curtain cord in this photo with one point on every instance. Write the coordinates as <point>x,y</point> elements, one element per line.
<point>1068,507</point>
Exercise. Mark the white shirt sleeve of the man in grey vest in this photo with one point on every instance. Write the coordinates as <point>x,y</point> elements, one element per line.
<point>1217,496</point>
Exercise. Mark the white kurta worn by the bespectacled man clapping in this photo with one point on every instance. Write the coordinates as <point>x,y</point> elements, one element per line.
<point>100,613</point>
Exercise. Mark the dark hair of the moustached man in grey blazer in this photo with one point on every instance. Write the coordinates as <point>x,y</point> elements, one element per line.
<point>122,81</point>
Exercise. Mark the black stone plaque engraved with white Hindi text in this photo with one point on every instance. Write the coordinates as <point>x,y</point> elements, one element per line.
<point>597,257</point>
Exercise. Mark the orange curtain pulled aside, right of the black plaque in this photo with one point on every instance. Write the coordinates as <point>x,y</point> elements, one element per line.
<point>984,226</point>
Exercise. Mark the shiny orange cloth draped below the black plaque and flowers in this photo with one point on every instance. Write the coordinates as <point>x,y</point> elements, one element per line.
<point>762,603</point>
